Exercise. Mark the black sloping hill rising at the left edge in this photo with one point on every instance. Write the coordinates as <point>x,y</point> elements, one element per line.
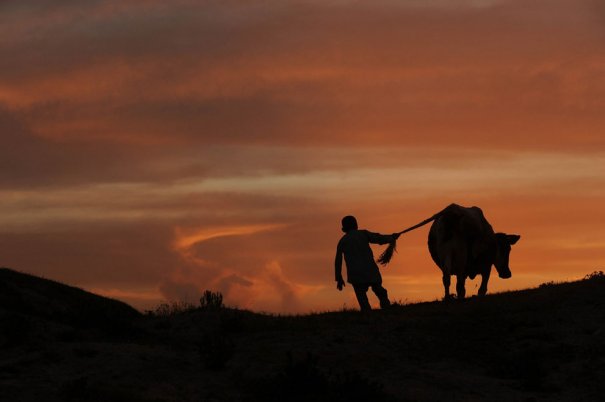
<point>32,296</point>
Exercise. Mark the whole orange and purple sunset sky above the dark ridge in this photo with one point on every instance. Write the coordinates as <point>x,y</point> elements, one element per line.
<point>153,149</point>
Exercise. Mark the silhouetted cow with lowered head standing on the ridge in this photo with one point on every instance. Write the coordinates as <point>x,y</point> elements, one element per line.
<point>462,243</point>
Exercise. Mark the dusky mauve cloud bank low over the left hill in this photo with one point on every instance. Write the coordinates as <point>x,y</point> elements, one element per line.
<point>103,255</point>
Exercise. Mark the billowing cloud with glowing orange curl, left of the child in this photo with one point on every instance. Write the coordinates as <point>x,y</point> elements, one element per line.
<point>231,260</point>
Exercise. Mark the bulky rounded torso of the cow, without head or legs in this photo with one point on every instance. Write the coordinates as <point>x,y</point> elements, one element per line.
<point>464,230</point>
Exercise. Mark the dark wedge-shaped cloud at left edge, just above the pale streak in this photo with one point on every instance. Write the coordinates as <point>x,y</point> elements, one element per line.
<point>28,160</point>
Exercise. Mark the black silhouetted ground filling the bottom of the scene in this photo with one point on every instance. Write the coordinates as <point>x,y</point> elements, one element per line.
<point>59,343</point>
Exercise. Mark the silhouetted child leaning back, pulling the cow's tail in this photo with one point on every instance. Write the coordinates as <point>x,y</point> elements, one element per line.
<point>362,271</point>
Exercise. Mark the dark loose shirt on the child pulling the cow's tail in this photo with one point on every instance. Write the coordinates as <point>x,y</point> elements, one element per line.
<point>355,246</point>
